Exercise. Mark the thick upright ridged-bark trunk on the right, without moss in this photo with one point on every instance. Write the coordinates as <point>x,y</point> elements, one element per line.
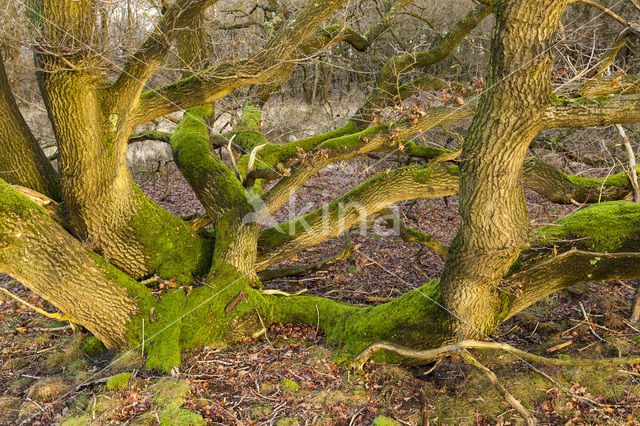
<point>494,215</point>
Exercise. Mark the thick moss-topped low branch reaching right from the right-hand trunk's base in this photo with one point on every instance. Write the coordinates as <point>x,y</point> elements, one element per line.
<point>600,242</point>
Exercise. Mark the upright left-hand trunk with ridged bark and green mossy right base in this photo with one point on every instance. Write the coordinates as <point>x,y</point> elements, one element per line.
<point>103,206</point>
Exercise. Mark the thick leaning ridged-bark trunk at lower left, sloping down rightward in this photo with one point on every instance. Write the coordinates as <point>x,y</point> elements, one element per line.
<point>39,253</point>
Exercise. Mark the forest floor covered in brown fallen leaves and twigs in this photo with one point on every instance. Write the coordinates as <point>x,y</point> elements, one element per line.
<point>51,375</point>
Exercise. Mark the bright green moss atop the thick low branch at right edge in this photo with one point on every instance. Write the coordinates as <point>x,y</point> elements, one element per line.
<point>605,227</point>
